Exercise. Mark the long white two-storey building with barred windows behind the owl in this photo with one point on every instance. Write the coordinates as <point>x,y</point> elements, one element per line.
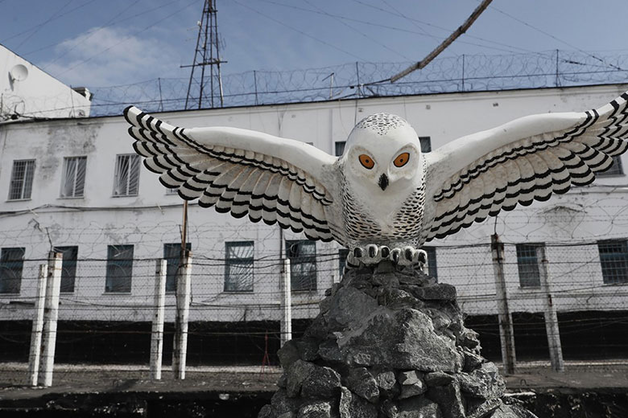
<point>76,184</point>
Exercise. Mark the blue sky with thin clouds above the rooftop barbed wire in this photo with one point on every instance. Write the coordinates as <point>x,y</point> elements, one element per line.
<point>96,43</point>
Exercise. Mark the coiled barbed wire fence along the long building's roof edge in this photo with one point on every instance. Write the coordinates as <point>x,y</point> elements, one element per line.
<point>465,73</point>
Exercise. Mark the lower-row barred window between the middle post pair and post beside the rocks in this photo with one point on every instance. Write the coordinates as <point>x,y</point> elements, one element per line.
<point>239,266</point>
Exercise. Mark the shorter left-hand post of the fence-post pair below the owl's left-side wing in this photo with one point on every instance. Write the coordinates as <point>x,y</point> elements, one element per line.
<point>157,334</point>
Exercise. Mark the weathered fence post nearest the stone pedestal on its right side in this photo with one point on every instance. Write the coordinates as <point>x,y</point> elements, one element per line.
<point>506,331</point>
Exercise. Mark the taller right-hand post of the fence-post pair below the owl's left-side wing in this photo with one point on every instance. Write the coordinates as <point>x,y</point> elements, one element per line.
<point>179,353</point>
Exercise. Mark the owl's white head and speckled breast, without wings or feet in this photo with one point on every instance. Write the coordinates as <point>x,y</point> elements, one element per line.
<point>392,212</point>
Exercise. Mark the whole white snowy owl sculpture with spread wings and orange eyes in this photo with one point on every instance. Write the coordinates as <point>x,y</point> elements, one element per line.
<point>382,198</point>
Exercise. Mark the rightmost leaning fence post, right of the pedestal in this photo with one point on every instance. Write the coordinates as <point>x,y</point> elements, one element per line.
<point>551,317</point>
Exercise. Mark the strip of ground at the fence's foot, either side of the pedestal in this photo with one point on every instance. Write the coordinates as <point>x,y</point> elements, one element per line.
<point>220,391</point>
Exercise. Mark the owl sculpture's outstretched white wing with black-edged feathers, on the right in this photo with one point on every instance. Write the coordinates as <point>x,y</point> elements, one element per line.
<point>521,161</point>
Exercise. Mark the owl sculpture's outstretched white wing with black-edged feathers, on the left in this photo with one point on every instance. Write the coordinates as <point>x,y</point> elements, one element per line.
<point>244,172</point>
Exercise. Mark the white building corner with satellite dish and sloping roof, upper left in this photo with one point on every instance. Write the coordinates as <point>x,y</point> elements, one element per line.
<point>27,92</point>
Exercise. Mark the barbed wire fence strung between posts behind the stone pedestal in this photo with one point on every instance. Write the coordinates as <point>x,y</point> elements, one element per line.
<point>108,333</point>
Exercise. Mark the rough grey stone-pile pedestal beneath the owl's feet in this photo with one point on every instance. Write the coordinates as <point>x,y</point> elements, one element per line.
<point>389,342</point>
